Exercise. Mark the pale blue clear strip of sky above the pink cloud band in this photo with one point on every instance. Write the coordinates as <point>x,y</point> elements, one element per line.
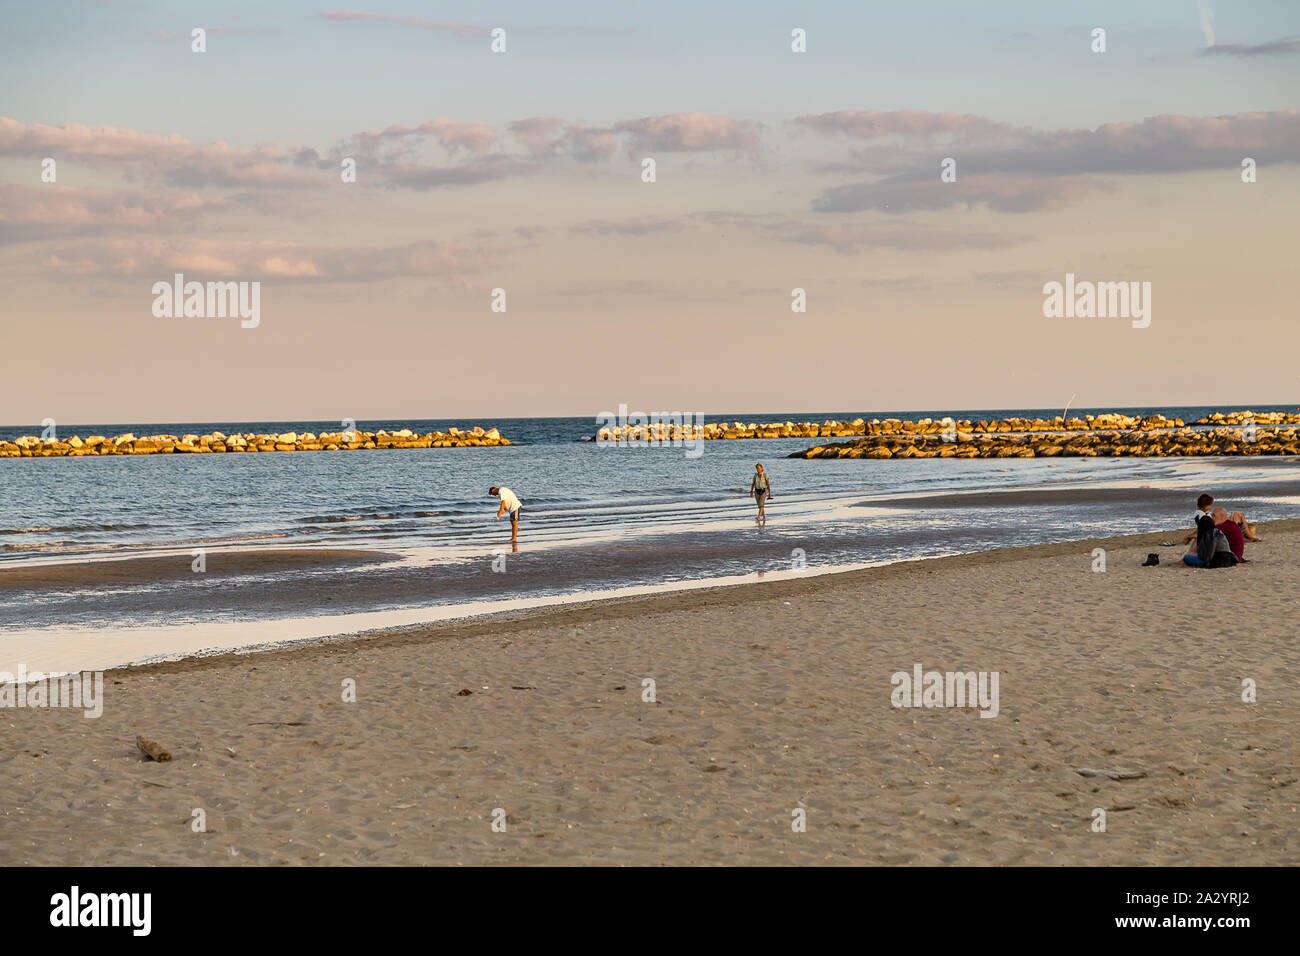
<point>293,76</point>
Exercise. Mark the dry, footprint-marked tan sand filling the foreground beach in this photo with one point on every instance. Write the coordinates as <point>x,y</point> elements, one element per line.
<point>770,698</point>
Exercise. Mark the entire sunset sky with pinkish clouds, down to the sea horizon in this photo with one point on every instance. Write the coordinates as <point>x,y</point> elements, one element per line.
<point>523,170</point>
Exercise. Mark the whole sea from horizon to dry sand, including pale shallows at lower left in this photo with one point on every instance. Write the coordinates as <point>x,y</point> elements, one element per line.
<point>597,520</point>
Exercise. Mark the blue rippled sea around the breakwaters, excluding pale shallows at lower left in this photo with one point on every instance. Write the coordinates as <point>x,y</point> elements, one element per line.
<point>683,518</point>
